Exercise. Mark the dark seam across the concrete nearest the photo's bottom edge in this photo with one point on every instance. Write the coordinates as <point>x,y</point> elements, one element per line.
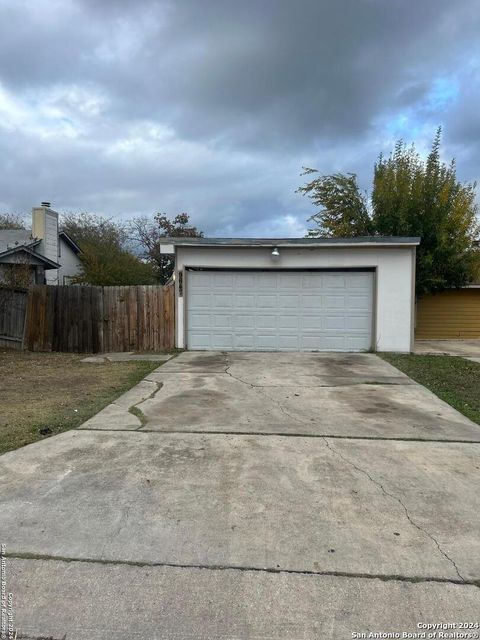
<point>223,567</point>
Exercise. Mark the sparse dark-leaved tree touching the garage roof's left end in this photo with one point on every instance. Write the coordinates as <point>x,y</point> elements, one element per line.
<point>147,234</point>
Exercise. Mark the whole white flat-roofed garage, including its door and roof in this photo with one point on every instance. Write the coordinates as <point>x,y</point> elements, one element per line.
<point>294,294</point>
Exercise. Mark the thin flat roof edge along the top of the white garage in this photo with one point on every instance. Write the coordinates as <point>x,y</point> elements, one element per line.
<point>168,245</point>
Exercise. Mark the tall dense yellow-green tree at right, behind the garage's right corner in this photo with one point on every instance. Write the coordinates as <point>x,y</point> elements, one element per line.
<point>412,197</point>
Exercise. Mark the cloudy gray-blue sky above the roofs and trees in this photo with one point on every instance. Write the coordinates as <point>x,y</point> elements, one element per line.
<point>124,107</point>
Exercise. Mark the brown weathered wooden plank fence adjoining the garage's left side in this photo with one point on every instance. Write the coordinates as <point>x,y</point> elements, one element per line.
<point>99,319</point>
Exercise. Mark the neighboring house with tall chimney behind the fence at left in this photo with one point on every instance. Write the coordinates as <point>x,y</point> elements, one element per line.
<point>43,253</point>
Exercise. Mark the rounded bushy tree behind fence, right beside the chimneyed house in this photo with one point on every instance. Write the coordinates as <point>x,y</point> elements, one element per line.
<point>105,257</point>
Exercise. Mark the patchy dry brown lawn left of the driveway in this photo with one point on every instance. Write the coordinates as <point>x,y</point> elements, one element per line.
<point>42,394</point>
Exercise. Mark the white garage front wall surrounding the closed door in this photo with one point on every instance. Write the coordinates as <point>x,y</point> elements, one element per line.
<point>394,280</point>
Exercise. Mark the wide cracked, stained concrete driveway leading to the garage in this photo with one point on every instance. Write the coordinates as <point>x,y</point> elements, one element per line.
<point>249,495</point>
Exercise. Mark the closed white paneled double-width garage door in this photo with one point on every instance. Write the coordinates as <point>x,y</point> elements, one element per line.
<point>279,311</point>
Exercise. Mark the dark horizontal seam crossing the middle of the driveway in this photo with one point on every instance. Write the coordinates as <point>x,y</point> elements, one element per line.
<point>280,434</point>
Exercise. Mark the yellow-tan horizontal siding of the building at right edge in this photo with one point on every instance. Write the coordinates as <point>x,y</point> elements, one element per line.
<point>449,315</point>
